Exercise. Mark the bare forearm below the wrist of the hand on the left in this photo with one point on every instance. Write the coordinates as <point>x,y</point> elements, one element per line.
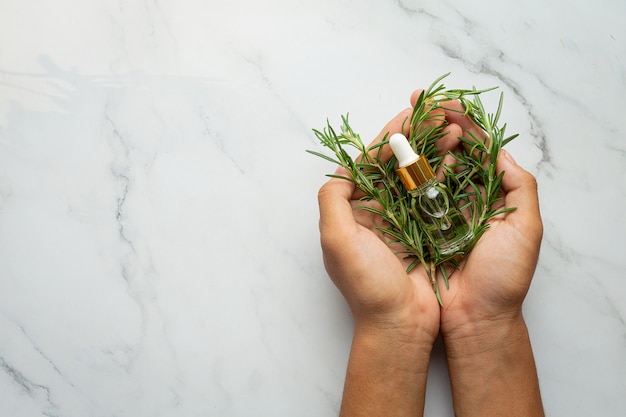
<point>386,375</point>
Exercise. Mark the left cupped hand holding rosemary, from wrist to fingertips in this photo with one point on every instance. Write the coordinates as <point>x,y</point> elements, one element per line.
<point>371,277</point>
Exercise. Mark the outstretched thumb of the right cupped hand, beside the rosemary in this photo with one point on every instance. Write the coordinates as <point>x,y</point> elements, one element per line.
<point>520,187</point>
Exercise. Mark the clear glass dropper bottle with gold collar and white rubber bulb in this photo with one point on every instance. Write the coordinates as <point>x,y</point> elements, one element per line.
<point>431,201</point>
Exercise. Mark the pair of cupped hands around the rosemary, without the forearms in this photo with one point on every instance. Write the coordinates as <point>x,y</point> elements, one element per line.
<point>487,290</point>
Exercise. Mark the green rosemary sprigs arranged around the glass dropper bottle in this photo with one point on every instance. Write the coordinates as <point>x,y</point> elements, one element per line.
<point>472,178</point>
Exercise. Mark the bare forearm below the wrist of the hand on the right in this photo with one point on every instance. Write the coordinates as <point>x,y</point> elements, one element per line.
<point>492,371</point>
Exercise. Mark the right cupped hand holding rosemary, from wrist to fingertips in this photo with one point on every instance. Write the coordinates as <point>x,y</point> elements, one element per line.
<point>494,278</point>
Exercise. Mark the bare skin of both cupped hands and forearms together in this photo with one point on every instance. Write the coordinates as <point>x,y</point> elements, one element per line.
<point>397,317</point>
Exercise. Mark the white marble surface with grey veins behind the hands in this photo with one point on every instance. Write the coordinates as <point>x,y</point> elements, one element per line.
<point>159,249</point>
